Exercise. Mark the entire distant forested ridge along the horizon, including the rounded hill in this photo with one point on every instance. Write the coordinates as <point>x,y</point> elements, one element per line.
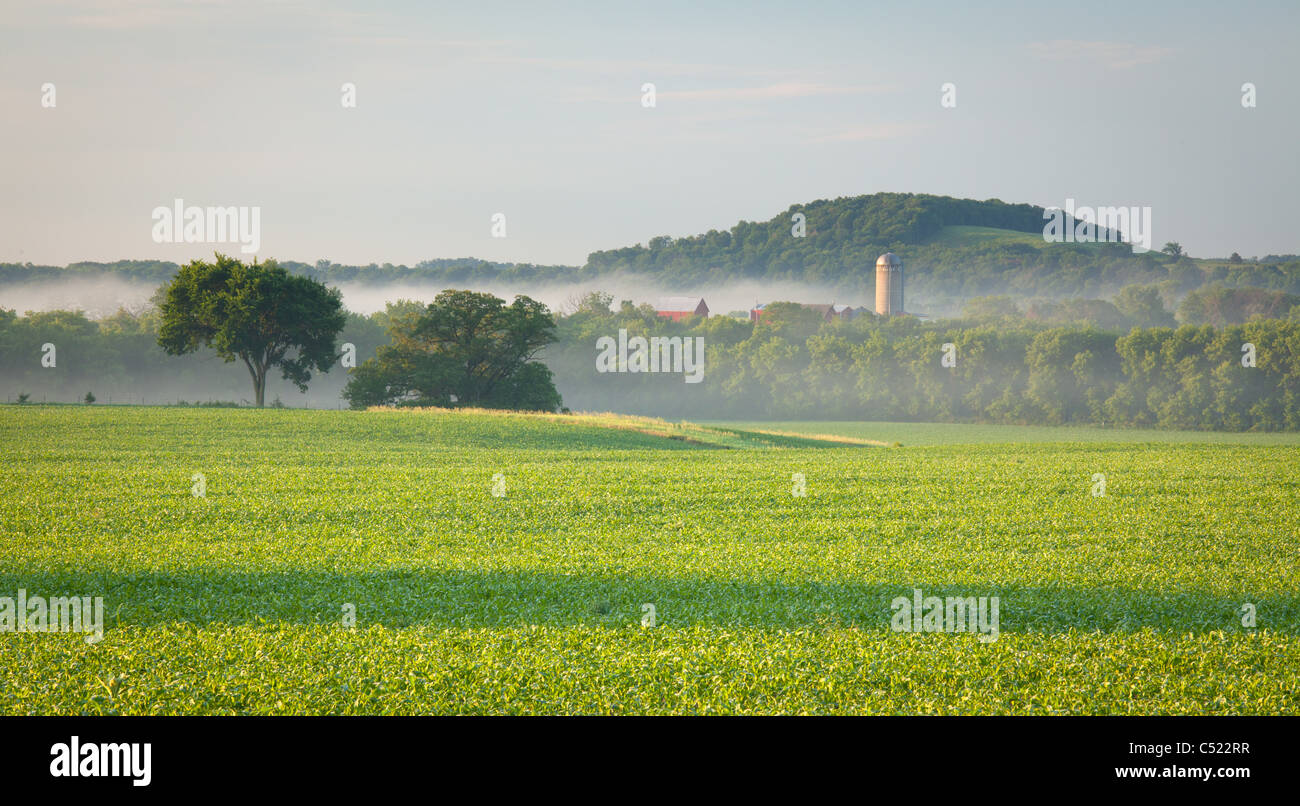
<point>842,241</point>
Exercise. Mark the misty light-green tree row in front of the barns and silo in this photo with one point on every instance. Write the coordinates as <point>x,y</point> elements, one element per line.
<point>795,366</point>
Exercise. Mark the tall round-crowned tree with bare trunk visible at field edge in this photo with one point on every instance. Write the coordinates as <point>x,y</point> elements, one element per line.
<point>259,314</point>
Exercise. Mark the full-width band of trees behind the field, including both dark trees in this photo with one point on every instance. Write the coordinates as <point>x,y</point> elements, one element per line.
<point>473,349</point>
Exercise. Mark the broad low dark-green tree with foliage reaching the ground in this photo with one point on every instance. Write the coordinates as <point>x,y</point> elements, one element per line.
<point>465,348</point>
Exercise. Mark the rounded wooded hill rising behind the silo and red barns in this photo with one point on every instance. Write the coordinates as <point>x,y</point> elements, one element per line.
<point>954,250</point>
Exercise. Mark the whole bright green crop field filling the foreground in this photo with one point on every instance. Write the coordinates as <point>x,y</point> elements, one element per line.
<point>501,565</point>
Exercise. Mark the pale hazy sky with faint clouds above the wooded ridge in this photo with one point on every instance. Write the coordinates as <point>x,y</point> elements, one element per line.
<point>467,110</point>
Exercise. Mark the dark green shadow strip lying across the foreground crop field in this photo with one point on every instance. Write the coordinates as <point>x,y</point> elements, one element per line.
<point>497,599</point>
